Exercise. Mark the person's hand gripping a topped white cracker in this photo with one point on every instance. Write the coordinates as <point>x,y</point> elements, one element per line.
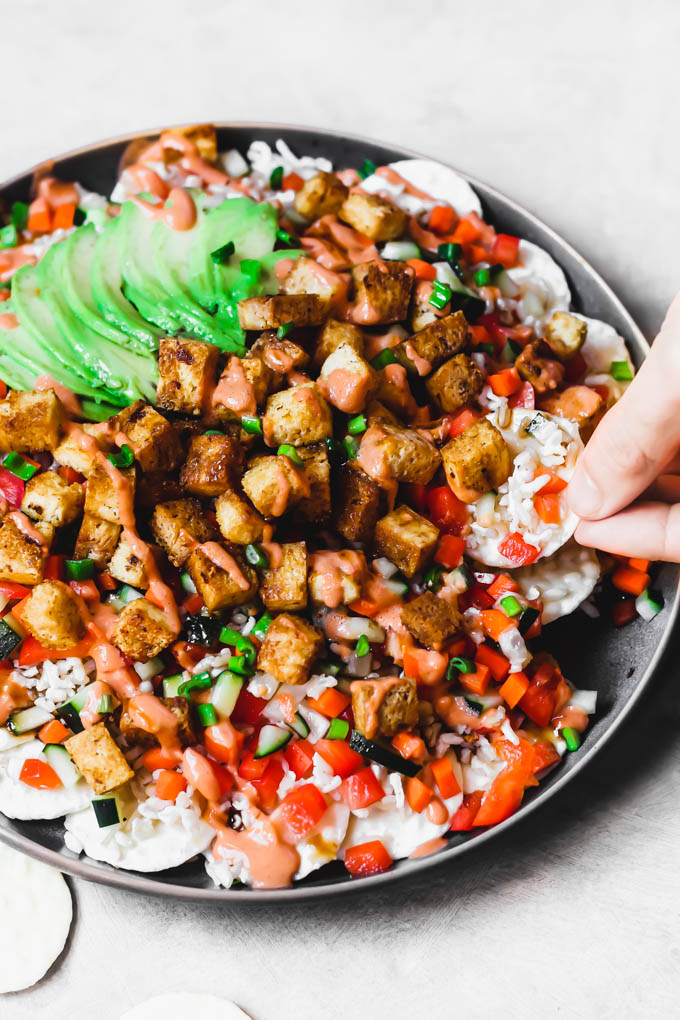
<point>636,452</point>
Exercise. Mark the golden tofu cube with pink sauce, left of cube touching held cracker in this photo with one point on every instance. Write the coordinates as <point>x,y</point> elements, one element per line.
<point>402,453</point>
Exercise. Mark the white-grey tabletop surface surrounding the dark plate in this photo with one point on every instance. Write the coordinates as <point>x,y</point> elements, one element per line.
<point>572,110</point>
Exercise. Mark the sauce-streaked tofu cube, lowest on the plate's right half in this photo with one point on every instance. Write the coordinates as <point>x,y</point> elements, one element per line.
<point>383,707</point>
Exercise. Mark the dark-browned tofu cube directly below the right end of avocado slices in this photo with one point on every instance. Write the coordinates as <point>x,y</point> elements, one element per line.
<point>187,372</point>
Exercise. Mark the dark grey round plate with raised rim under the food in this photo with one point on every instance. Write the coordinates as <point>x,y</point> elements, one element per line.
<point>620,665</point>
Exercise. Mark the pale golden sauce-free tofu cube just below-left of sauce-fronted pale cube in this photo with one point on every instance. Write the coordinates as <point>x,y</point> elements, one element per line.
<point>299,416</point>
